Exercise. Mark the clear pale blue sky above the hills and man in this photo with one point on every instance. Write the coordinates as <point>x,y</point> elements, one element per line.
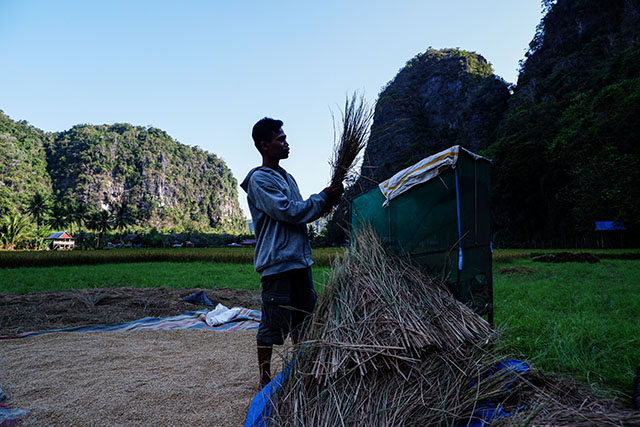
<point>206,71</point>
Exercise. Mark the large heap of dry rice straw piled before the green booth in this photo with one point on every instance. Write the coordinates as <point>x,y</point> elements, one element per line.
<point>390,347</point>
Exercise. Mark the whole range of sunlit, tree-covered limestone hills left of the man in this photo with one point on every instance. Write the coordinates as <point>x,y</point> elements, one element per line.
<point>163,183</point>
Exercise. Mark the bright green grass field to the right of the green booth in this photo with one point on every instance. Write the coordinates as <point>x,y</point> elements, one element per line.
<point>573,318</point>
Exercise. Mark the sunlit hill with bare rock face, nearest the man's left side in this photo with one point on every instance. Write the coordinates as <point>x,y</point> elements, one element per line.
<point>167,184</point>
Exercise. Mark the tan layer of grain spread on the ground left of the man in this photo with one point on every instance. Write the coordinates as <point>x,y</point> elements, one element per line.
<point>131,378</point>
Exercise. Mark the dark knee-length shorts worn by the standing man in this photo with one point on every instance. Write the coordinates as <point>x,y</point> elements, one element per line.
<point>288,299</point>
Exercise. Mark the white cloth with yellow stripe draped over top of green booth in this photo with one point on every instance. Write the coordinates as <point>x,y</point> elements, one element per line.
<point>423,171</point>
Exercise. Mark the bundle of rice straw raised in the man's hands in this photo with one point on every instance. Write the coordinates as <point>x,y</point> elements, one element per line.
<point>353,136</point>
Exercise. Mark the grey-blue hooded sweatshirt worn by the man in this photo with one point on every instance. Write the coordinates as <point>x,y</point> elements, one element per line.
<point>279,217</point>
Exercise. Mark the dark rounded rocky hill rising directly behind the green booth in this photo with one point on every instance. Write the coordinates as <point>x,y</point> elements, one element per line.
<point>439,99</point>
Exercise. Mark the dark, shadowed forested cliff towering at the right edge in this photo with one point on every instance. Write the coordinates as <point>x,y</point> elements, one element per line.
<point>567,150</point>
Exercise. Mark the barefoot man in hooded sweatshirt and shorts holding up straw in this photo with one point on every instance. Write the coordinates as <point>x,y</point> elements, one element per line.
<point>283,253</point>
